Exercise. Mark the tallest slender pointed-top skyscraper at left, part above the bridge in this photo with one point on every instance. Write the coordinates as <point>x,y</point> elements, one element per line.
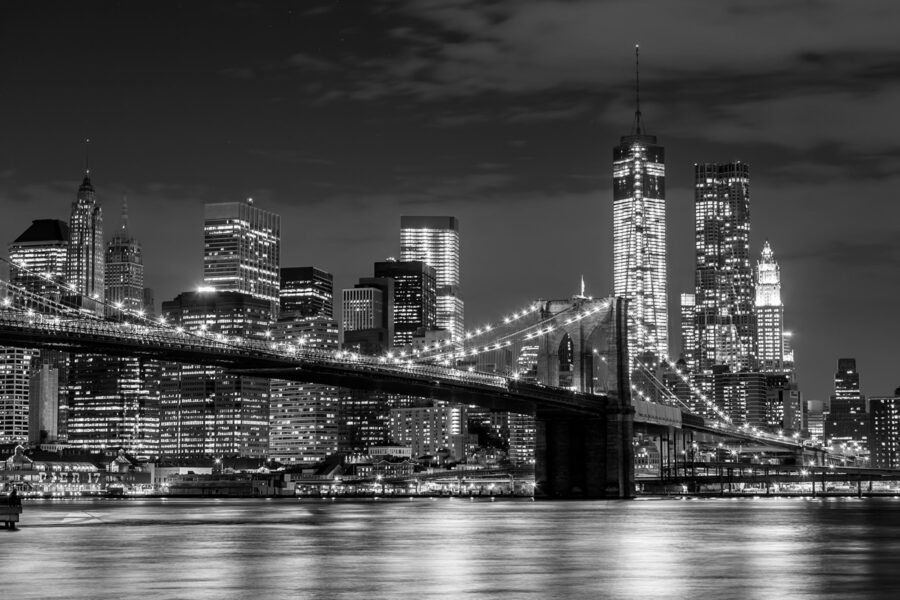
<point>85,255</point>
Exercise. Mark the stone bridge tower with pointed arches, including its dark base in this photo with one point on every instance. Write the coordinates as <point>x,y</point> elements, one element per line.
<point>580,456</point>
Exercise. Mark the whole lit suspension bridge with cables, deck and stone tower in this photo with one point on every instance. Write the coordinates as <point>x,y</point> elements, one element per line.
<point>578,384</point>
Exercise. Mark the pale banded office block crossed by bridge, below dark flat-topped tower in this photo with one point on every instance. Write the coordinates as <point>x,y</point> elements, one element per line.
<point>303,417</point>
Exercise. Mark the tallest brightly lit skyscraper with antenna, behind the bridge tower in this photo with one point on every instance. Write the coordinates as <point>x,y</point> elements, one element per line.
<point>639,237</point>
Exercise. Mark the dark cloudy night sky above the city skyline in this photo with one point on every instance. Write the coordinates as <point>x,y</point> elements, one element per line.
<point>343,116</point>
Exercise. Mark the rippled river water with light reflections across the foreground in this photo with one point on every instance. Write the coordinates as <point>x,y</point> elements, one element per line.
<point>454,548</point>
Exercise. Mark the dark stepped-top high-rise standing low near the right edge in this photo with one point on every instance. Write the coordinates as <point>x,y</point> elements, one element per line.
<point>846,423</point>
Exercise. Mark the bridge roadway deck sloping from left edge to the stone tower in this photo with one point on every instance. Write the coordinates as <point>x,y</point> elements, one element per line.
<point>285,361</point>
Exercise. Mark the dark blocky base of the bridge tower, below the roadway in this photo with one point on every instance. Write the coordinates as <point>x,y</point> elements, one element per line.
<point>589,458</point>
